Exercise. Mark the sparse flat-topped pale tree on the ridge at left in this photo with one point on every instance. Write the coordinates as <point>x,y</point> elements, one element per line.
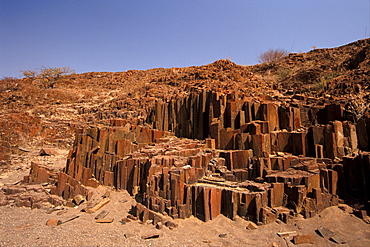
<point>49,76</point>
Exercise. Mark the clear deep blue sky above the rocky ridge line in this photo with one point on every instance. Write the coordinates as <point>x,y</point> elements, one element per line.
<point>118,35</point>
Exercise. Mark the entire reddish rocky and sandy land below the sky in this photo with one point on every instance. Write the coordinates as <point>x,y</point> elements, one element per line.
<point>61,128</point>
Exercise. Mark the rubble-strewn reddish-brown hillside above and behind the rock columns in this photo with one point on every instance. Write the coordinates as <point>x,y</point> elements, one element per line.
<point>32,114</point>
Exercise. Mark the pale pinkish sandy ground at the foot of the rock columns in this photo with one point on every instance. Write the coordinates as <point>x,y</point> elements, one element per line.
<point>20,226</point>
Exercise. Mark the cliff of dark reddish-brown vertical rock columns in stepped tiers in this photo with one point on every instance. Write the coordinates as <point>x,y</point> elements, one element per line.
<point>261,160</point>
